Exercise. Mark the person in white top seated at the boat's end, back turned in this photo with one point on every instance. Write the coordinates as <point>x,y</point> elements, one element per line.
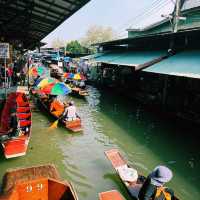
<point>70,112</point>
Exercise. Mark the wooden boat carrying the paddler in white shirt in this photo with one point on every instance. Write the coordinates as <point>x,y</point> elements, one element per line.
<point>74,126</point>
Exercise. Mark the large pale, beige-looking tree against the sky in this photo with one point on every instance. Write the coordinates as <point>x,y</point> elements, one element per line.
<point>97,34</point>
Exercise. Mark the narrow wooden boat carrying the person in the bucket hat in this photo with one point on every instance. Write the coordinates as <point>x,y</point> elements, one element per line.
<point>118,162</point>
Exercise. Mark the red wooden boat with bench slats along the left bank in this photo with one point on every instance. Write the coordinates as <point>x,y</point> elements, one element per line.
<point>16,146</point>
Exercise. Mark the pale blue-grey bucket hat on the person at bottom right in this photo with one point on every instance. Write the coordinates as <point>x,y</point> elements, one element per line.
<point>161,175</point>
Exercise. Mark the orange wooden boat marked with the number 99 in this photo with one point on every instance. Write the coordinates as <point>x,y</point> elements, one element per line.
<point>36,183</point>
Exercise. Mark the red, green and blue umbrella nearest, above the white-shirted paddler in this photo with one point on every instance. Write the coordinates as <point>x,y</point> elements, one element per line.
<point>56,89</point>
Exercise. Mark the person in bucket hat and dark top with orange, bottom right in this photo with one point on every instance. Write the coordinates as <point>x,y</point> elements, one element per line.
<point>153,189</point>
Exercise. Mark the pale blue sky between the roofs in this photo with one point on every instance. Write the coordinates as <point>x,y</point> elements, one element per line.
<point>118,14</point>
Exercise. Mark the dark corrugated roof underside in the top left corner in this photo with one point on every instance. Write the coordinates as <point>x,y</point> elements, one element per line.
<point>30,21</point>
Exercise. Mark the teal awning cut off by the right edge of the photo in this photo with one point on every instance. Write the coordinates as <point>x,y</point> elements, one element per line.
<point>186,64</point>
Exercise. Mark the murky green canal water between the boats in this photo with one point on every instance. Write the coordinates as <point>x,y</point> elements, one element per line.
<point>112,121</point>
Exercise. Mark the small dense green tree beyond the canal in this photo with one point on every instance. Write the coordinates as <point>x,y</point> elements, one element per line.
<point>75,47</point>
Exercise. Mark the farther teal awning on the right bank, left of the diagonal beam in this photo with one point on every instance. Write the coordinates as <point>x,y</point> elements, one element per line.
<point>133,58</point>
